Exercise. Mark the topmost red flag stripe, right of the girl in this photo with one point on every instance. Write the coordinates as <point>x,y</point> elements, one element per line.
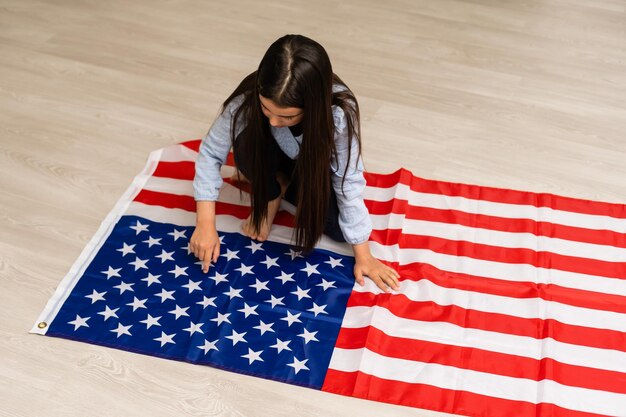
<point>499,195</point>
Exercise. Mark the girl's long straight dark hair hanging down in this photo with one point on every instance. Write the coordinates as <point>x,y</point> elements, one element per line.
<point>295,72</point>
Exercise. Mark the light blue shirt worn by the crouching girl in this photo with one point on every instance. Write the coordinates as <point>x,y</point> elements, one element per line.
<point>354,219</point>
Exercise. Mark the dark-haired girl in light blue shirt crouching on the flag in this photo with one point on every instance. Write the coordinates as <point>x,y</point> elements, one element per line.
<point>294,129</point>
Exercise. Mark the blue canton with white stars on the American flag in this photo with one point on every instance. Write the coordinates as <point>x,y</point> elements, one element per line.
<point>263,308</point>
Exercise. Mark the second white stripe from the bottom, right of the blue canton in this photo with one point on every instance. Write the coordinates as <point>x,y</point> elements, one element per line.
<point>451,334</point>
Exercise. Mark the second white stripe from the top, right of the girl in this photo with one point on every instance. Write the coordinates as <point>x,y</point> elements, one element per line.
<point>536,243</point>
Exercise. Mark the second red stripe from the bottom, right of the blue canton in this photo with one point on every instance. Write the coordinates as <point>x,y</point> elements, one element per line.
<point>481,360</point>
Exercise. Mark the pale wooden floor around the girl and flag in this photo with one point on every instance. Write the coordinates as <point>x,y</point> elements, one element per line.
<point>527,94</point>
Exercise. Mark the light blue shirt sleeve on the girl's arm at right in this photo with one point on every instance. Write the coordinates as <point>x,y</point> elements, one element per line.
<point>354,219</point>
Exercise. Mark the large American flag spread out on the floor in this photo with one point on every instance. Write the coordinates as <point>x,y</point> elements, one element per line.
<point>511,303</point>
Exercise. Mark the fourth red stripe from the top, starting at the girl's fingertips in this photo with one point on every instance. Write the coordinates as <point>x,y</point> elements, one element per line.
<point>514,289</point>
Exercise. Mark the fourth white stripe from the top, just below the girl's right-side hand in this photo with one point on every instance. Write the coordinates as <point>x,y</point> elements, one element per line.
<point>530,308</point>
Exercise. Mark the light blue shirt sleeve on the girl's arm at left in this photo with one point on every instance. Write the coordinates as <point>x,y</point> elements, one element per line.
<point>213,153</point>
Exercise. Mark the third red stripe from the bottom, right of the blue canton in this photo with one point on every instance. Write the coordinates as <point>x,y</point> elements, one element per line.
<point>428,311</point>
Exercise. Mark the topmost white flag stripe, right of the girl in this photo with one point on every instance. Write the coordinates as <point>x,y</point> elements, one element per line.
<point>506,210</point>
